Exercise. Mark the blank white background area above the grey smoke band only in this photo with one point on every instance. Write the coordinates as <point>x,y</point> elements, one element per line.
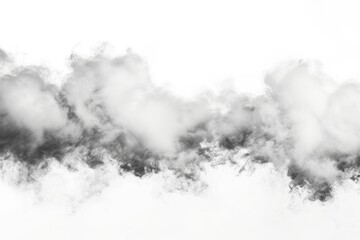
<point>189,44</point>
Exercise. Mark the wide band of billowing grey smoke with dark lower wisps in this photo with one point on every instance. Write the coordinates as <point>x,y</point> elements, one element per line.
<point>107,115</point>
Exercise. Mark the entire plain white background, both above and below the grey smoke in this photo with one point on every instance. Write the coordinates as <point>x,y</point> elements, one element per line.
<point>189,45</point>
